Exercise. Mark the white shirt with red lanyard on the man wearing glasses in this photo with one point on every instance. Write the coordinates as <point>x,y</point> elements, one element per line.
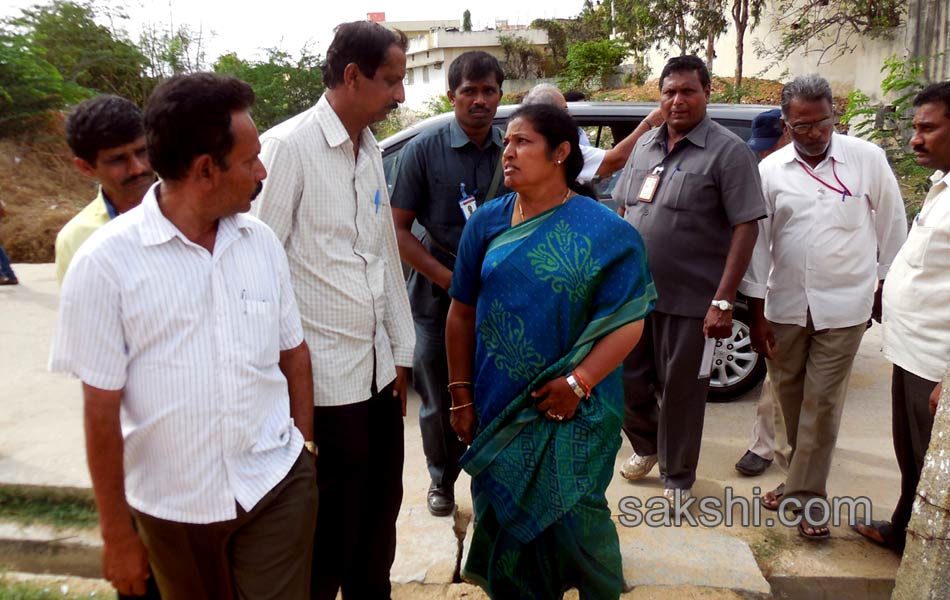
<point>821,248</point>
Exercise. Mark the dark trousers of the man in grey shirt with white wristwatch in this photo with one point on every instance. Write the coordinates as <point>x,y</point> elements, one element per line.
<point>664,400</point>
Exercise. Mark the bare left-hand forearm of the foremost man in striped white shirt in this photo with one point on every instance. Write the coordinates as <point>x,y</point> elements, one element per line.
<point>104,447</point>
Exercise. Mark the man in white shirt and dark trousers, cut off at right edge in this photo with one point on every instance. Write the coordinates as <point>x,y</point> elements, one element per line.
<point>917,314</point>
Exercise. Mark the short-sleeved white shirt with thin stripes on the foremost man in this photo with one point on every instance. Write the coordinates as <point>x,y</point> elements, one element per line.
<point>193,339</point>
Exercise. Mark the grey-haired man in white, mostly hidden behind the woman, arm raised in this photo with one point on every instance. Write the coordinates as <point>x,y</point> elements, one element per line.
<point>597,161</point>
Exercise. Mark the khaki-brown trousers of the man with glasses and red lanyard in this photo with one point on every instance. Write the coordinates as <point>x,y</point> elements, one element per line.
<point>808,378</point>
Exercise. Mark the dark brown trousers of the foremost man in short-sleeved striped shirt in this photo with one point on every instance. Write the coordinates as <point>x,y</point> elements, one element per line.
<point>262,554</point>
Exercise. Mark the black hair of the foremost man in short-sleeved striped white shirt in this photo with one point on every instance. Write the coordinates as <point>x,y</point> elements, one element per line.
<point>190,115</point>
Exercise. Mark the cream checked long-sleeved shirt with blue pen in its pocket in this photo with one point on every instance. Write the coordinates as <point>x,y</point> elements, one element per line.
<point>331,212</point>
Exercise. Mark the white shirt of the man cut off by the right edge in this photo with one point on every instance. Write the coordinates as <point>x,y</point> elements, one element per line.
<point>917,291</point>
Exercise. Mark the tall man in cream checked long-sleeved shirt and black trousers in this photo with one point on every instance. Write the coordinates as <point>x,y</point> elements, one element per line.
<point>327,201</point>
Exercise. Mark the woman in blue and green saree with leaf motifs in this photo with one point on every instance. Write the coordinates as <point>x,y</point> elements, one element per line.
<point>549,292</point>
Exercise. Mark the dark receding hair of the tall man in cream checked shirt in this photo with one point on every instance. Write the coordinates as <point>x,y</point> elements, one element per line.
<point>362,42</point>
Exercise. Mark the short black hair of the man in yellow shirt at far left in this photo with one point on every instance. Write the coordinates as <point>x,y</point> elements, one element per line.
<point>101,123</point>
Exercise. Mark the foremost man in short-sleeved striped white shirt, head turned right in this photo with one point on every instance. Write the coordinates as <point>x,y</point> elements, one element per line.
<point>180,320</point>
